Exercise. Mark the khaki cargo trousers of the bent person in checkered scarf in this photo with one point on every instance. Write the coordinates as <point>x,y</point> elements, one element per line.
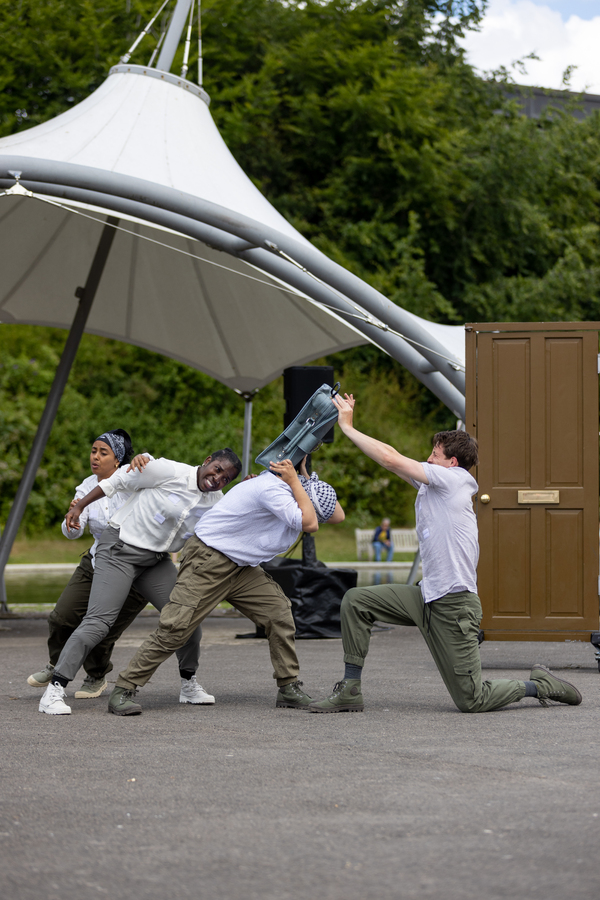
<point>206,578</point>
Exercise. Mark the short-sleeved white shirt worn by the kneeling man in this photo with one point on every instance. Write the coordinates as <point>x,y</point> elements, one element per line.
<point>447,531</point>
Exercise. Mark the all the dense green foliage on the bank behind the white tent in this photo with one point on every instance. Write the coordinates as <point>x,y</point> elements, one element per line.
<point>362,123</point>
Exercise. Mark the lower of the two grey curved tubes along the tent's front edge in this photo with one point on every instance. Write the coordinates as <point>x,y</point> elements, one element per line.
<point>271,264</point>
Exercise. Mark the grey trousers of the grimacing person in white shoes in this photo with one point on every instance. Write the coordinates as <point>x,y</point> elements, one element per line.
<point>118,566</point>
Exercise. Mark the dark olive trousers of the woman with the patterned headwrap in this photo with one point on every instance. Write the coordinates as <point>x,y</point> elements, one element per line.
<point>70,610</point>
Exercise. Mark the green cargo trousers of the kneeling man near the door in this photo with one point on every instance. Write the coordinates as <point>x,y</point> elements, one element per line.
<point>450,627</point>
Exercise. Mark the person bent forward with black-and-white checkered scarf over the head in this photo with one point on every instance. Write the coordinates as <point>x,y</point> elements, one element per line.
<point>253,523</point>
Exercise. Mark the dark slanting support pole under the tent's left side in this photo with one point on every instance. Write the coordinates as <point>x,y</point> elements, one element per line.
<point>86,298</point>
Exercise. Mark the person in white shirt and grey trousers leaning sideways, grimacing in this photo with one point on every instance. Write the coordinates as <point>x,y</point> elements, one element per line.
<point>167,499</point>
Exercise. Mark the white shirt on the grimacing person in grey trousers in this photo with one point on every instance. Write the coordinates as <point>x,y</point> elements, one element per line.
<point>164,505</point>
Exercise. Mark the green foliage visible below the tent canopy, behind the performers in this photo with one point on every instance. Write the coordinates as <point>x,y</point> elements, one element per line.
<point>174,411</point>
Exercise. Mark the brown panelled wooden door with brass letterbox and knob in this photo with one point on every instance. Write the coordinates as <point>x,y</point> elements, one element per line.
<point>532,402</point>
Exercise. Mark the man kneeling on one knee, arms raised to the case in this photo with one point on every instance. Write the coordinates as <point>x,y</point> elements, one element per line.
<point>445,606</point>
